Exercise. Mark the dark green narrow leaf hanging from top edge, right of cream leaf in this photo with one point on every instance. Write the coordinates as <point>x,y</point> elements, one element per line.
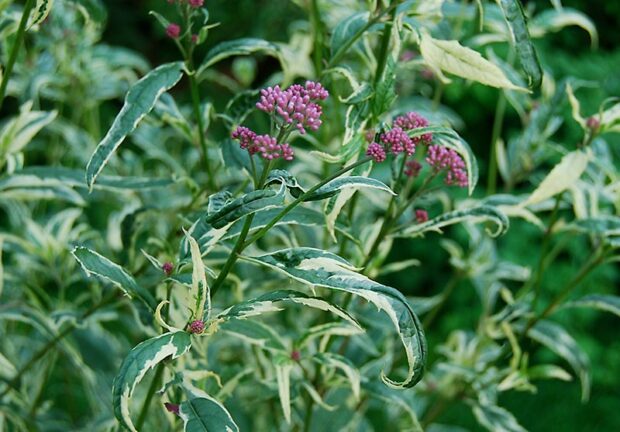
<point>513,12</point>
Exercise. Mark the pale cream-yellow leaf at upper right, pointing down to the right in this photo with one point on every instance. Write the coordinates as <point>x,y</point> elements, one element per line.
<point>452,57</point>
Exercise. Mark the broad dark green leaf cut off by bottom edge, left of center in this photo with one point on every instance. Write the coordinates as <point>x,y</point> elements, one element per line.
<point>206,415</point>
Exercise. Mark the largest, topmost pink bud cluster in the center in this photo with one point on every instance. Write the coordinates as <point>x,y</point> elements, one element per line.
<point>295,105</point>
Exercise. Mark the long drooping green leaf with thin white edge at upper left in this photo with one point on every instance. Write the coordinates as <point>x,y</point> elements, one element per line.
<point>139,101</point>
